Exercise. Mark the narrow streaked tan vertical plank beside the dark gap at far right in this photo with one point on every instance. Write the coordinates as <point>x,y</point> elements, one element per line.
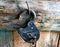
<point>54,38</point>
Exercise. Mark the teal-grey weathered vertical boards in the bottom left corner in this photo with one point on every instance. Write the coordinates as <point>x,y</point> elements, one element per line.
<point>6,38</point>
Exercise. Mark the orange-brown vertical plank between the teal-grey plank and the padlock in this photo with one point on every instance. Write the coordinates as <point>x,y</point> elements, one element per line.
<point>18,41</point>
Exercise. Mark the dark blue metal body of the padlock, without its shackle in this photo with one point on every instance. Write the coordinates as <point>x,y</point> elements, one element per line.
<point>30,33</point>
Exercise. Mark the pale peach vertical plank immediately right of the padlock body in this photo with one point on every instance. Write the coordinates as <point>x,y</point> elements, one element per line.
<point>44,39</point>
